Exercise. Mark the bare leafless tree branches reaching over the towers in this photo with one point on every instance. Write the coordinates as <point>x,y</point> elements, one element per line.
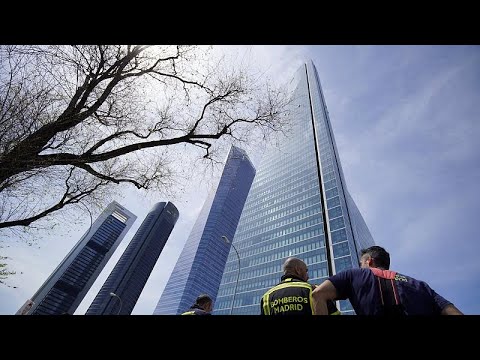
<point>75,120</point>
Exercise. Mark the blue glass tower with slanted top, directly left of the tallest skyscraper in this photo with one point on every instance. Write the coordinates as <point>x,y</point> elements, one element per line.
<point>201,263</point>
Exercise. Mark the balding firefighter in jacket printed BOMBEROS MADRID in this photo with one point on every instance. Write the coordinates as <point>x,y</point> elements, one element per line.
<point>293,295</point>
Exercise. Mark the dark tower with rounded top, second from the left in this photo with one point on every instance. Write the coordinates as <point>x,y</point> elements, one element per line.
<point>123,286</point>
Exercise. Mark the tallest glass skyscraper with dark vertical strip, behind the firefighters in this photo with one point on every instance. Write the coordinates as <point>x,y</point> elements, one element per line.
<point>298,206</point>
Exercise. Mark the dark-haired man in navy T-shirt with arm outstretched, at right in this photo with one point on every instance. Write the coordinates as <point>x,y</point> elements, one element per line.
<point>373,289</point>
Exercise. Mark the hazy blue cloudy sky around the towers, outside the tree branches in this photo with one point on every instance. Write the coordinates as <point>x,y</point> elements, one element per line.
<point>406,122</point>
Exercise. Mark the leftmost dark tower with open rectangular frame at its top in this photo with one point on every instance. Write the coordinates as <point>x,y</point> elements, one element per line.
<point>66,287</point>
